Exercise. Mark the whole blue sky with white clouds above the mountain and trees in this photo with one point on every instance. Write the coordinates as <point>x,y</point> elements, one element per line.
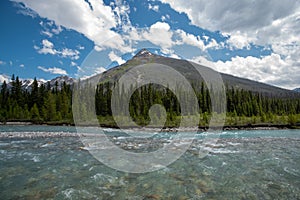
<point>257,39</point>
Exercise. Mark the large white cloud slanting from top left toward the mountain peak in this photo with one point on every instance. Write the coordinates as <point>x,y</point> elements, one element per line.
<point>96,24</point>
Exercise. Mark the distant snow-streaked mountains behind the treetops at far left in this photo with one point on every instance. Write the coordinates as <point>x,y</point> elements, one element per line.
<point>27,83</point>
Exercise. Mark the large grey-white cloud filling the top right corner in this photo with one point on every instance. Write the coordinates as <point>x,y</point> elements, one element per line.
<point>259,22</point>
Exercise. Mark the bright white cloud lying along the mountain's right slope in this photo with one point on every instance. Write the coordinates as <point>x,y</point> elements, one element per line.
<point>270,69</point>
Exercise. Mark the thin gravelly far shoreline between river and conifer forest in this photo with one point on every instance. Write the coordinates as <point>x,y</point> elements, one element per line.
<point>69,133</point>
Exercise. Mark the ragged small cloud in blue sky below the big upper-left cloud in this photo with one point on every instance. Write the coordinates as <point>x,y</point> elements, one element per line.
<point>48,48</point>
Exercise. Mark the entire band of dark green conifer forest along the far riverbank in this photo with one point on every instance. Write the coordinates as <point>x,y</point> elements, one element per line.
<point>54,105</point>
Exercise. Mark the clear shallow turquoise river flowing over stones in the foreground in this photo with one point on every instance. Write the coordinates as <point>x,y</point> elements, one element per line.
<point>257,164</point>
